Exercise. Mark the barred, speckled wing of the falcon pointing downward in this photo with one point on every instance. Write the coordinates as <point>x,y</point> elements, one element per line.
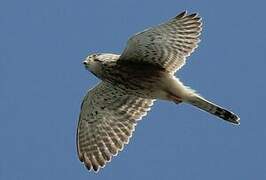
<point>107,120</point>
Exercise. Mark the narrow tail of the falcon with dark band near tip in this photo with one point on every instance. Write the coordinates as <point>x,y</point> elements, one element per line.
<point>214,109</point>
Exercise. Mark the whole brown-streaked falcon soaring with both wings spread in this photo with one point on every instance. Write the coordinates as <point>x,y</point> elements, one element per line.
<point>132,81</point>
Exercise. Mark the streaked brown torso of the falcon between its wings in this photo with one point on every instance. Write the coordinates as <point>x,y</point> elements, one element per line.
<point>140,79</point>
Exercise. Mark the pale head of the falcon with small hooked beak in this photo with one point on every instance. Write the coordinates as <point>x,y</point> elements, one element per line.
<point>93,63</point>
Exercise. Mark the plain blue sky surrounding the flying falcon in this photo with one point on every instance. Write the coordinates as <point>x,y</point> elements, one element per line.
<point>42,83</point>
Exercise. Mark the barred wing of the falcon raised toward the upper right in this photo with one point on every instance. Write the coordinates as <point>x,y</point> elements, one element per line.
<point>166,45</point>
